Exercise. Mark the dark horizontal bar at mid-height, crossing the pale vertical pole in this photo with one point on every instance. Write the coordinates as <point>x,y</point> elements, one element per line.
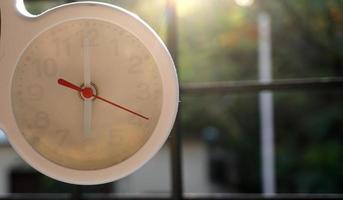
<point>255,86</point>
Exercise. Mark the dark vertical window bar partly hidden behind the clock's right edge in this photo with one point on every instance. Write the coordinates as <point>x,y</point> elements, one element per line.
<point>175,140</point>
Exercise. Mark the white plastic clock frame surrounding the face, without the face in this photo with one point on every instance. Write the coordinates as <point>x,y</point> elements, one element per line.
<point>18,28</point>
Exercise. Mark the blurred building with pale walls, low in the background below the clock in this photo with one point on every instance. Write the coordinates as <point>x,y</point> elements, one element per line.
<point>154,177</point>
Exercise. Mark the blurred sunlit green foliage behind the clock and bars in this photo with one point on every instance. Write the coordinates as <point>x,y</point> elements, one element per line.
<point>218,42</point>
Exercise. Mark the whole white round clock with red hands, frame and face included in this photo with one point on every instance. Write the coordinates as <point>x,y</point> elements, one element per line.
<point>89,92</point>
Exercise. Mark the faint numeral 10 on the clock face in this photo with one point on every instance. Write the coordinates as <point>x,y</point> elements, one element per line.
<point>47,68</point>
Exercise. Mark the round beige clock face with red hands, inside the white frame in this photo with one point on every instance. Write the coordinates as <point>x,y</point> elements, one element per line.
<point>86,94</point>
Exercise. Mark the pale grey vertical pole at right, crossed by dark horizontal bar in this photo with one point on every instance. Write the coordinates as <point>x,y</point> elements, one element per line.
<point>266,106</point>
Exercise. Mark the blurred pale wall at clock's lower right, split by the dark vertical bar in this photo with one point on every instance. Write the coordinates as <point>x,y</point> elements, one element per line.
<point>155,177</point>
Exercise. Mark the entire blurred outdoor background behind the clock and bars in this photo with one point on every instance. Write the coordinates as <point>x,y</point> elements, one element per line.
<point>218,41</point>
